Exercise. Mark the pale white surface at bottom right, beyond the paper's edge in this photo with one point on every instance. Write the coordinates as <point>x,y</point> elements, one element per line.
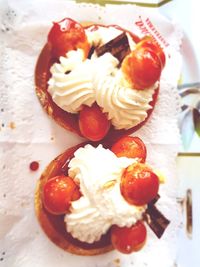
<point>188,172</point>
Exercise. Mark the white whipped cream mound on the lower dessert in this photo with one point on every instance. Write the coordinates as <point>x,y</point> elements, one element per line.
<point>102,204</point>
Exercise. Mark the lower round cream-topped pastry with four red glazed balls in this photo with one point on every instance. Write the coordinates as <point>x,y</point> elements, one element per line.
<point>91,199</point>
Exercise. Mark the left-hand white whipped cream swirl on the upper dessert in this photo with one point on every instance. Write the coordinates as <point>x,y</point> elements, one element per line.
<point>71,83</point>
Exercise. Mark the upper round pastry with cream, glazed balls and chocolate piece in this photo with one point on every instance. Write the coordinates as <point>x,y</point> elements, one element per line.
<point>98,81</point>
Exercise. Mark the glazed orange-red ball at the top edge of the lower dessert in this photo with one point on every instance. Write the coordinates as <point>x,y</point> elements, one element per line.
<point>130,147</point>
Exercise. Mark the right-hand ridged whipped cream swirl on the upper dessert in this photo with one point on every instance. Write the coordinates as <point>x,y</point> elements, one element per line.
<point>126,107</point>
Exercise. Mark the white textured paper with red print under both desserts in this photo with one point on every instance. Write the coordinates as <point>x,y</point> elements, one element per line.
<point>28,134</point>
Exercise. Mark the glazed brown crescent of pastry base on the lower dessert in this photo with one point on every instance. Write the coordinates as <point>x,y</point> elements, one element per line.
<point>54,225</point>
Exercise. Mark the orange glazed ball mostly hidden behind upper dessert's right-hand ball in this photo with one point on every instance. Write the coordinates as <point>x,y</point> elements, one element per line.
<point>150,43</point>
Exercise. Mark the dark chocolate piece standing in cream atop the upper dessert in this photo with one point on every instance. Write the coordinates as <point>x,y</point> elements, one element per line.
<point>118,47</point>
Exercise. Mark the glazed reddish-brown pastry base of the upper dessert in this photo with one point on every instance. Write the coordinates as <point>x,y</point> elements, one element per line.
<point>65,119</point>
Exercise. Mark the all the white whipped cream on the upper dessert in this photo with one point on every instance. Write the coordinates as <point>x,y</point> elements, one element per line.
<point>77,81</point>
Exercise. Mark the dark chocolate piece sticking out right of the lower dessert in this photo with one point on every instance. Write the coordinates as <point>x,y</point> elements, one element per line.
<point>156,220</point>
